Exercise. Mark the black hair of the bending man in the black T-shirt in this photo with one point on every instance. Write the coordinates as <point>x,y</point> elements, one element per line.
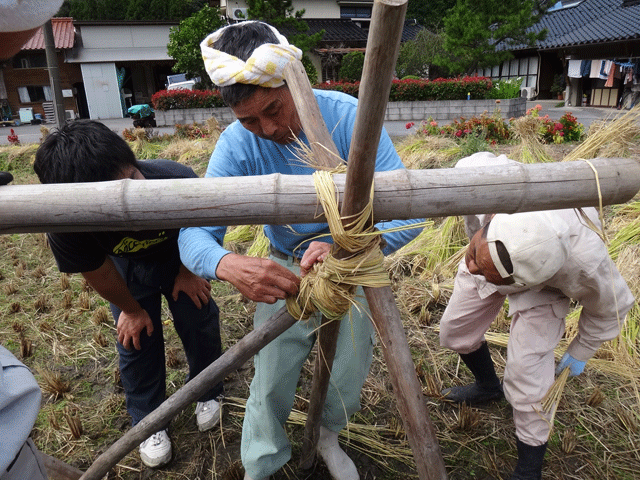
<point>82,151</point>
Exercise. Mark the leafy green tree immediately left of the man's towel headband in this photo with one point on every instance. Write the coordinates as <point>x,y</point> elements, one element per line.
<point>184,42</point>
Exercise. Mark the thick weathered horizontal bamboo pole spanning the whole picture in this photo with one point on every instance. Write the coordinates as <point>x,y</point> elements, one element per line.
<point>285,199</point>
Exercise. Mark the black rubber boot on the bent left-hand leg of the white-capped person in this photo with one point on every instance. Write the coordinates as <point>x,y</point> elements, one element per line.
<point>487,386</point>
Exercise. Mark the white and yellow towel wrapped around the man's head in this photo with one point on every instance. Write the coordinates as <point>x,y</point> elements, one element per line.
<point>265,67</point>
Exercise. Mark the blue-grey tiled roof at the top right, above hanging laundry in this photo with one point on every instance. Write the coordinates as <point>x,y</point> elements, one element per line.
<point>589,22</point>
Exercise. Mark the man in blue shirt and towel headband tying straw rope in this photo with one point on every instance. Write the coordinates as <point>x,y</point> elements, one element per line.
<point>246,61</point>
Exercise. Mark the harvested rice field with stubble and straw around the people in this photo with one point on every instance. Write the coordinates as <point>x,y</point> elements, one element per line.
<point>64,332</point>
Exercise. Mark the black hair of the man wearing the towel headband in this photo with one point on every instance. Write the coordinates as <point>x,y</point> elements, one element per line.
<point>240,40</point>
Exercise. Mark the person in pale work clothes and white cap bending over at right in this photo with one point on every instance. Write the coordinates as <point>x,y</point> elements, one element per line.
<point>539,261</point>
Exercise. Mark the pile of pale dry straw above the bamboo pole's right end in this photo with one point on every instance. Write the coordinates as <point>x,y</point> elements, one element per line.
<point>612,138</point>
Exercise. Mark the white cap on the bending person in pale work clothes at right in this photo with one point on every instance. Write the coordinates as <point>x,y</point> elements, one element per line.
<point>537,243</point>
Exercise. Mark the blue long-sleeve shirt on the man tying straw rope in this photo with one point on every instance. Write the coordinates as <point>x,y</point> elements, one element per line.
<point>239,152</point>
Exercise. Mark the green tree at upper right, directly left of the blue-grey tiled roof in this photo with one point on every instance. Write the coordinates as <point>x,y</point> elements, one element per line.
<point>480,33</point>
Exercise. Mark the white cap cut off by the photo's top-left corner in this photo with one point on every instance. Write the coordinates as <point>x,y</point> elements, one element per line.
<point>20,15</point>
